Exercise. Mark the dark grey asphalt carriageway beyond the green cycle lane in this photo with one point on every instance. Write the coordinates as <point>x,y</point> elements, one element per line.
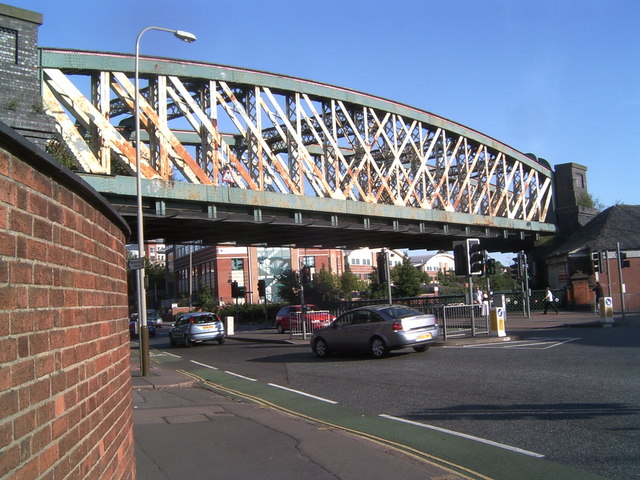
<point>570,394</point>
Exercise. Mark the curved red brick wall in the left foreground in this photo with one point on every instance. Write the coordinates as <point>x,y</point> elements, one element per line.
<point>65,382</point>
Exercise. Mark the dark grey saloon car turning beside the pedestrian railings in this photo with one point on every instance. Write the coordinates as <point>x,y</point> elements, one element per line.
<point>377,329</point>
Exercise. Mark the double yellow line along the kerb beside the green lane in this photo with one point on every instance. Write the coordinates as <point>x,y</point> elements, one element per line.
<point>462,472</point>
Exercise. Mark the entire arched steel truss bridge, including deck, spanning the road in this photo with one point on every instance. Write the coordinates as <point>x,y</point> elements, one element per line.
<point>230,154</point>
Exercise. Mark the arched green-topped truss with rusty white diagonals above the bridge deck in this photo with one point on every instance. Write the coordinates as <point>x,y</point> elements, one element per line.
<point>223,126</point>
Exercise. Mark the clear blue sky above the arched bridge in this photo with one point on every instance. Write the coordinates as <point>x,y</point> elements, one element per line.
<point>557,78</point>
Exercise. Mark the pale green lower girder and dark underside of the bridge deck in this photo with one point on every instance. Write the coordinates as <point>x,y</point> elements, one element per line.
<point>253,218</point>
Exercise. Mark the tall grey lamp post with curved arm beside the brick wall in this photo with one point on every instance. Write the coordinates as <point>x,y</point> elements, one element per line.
<point>142,294</point>
